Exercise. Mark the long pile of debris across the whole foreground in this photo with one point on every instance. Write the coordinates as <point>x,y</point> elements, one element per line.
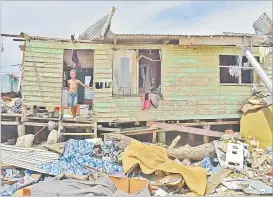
<point>123,165</point>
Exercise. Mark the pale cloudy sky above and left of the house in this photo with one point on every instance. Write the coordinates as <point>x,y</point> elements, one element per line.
<point>63,18</point>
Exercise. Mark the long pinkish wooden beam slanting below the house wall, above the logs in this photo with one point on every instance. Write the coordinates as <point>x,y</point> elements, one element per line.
<point>184,129</point>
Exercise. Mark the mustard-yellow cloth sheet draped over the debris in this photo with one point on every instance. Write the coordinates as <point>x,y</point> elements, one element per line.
<point>152,158</point>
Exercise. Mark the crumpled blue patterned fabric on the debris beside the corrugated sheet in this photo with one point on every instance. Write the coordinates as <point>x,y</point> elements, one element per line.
<point>79,152</point>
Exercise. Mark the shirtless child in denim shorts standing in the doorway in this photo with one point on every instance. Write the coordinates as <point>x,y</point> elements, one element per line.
<point>73,92</point>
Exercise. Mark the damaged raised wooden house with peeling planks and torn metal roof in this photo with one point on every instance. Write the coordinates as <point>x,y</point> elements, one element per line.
<point>200,76</point>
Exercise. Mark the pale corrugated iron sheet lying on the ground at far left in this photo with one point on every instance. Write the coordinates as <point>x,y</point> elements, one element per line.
<point>27,158</point>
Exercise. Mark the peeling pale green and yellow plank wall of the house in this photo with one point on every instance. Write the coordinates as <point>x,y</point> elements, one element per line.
<point>190,82</point>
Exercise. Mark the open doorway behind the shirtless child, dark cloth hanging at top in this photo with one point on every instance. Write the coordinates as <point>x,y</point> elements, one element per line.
<point>82,61</point>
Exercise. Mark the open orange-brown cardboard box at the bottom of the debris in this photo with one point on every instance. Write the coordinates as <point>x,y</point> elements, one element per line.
<point>129,185</point>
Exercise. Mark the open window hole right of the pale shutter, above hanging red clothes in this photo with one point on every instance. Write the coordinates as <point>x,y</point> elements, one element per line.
<point>149,62</point>
